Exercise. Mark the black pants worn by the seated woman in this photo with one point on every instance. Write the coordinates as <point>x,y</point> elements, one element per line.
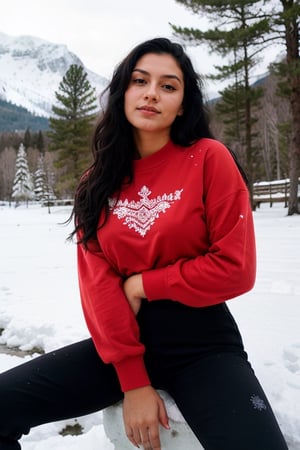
<point>204,369</point>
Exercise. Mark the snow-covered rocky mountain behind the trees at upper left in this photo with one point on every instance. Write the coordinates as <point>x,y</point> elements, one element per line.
<point>31,70</point>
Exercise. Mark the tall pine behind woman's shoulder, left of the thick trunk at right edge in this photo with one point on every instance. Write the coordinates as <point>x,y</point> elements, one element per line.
<point>241,27</point>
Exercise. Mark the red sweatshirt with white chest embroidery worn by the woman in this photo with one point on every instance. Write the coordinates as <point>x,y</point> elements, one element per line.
<point>186,224</point>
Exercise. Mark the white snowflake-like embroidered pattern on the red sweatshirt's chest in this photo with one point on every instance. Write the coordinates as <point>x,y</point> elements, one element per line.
<point>142,214</point>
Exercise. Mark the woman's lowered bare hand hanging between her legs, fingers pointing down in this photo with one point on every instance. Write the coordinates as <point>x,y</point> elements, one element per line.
<point>143,412</point>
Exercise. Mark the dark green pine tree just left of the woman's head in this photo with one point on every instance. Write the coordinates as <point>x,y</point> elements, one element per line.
<point>71,127</point>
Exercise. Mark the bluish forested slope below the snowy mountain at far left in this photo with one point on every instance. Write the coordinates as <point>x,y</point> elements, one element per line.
<point>15,118</point>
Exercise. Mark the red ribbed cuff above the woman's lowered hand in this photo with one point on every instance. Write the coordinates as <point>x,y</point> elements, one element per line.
<point>132,373</point>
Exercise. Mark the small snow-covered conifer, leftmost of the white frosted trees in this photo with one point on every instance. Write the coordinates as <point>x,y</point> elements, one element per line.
<point>22,186</point>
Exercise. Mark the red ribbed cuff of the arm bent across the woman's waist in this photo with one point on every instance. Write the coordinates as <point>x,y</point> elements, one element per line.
<point>155,283</point>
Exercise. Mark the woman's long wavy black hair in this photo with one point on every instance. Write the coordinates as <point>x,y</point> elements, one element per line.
<point>113,144</point>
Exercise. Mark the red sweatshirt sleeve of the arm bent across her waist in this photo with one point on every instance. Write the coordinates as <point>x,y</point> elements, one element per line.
<point>228,268</point>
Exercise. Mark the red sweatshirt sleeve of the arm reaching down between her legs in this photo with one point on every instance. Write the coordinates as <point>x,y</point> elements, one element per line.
<point>109,318</point>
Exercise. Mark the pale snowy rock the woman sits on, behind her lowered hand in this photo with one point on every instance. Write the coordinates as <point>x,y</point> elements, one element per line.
<point>179,437</point>
